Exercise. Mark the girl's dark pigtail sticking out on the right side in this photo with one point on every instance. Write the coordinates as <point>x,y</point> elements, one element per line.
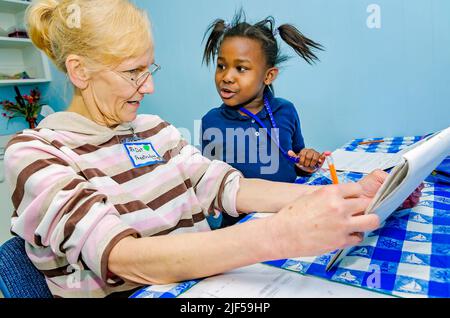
<point>300,43</point>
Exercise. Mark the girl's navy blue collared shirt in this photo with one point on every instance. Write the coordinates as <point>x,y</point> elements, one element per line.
<point>256,155</point>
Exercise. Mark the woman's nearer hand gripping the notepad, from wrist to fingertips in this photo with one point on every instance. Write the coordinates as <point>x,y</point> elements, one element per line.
<point>328,219</point>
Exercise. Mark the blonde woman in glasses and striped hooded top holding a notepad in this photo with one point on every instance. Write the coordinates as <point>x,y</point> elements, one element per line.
<point>118,200</point>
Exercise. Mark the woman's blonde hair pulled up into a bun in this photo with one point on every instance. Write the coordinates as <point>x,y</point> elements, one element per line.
<point>106,33</point>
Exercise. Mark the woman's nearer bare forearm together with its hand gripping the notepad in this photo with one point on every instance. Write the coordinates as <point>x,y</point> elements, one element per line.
<point>313,224</point>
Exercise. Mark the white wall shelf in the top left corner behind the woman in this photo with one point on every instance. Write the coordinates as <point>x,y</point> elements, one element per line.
<point>19,55</point>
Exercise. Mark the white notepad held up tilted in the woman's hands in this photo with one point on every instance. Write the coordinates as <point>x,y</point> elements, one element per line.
<point>418,161</point>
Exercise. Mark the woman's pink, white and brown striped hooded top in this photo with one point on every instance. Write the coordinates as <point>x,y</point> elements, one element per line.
<point>76,193</point>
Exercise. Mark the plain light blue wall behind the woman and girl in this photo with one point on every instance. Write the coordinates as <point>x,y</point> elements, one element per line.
<point>390,81</point>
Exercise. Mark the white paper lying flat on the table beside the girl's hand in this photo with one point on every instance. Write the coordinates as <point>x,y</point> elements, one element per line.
<point>364,162</point>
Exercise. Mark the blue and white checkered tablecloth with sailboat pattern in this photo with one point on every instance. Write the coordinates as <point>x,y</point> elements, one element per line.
<point>409,256</point>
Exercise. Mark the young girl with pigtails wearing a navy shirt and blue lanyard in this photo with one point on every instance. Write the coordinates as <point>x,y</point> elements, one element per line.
<point>247,60</point>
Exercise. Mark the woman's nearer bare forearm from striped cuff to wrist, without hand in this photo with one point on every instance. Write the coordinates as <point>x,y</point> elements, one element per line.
<point>172,258</point>
